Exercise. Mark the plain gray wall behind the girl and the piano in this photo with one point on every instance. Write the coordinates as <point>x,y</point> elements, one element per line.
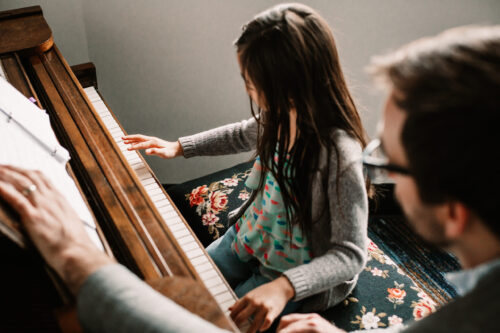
<point>168,68</point>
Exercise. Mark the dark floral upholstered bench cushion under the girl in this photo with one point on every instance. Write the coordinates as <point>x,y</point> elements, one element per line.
<point>384,295</point>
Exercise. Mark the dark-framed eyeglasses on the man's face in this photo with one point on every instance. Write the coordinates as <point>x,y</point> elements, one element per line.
<point>377,163</point>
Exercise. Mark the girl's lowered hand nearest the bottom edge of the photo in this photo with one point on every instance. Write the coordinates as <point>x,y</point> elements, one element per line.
<point>265,303</point>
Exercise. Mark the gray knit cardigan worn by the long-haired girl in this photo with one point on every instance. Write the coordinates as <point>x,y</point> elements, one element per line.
<point>339,235</point>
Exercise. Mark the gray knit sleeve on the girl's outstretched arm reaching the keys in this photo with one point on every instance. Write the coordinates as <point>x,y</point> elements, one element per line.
<point>229,139</point>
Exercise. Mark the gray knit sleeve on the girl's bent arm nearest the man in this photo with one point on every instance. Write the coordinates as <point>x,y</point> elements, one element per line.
<point>345,249</point>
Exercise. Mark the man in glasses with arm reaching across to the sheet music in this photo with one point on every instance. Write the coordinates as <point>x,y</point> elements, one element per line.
<point>440,140</point>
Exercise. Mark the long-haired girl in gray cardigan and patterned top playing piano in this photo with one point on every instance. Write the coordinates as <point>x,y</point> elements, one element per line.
<point>301,237</point>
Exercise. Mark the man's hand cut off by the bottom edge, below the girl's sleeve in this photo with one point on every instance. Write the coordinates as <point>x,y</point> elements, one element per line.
<point>306,323</point>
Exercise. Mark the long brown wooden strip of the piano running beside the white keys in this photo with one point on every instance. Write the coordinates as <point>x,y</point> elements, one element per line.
<point>132,196</point>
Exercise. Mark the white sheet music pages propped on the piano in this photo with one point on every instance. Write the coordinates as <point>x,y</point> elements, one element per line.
<point>29,142</point>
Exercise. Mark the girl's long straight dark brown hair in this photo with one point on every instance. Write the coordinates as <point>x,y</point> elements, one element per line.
<point>288,53</point>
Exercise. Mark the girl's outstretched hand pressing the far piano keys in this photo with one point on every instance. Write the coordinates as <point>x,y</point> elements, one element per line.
<point>153,145</point>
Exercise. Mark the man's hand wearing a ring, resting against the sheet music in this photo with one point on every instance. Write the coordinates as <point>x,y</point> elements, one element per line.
<point>53,226</point>
